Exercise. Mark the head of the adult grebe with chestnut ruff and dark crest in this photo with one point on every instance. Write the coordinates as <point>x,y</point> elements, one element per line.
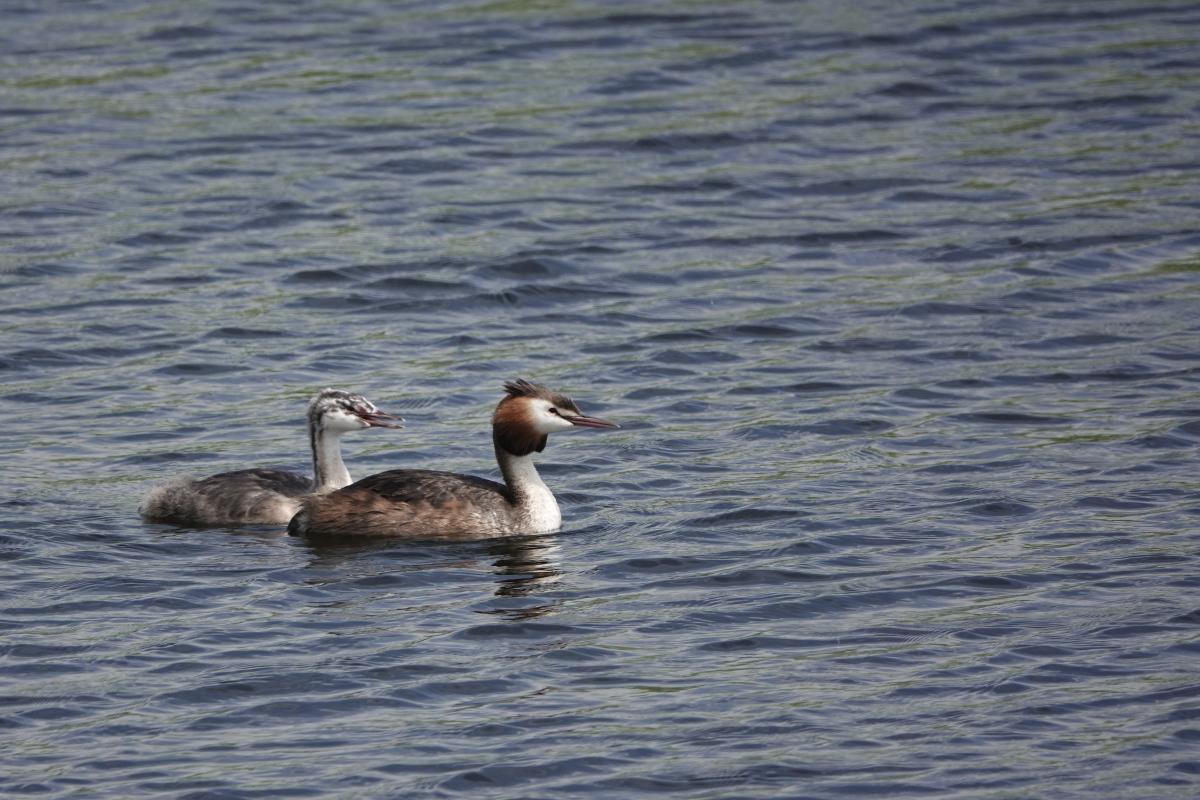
<point>531,413</point>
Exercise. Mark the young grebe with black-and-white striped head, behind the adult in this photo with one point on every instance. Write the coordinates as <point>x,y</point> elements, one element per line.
<point>272,496</point>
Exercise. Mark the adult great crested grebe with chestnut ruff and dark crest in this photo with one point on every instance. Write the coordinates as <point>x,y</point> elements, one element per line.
<point>418,503</point>
